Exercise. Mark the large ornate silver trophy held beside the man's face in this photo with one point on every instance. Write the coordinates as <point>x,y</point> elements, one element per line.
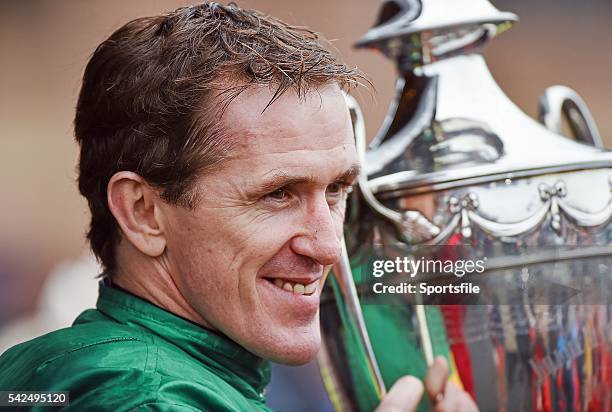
<point>456,166</point>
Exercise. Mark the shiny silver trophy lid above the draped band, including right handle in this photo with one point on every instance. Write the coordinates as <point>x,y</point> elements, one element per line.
<point>450,124</point>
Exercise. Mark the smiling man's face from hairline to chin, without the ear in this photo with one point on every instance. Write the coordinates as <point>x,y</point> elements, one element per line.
<point>252,257</point>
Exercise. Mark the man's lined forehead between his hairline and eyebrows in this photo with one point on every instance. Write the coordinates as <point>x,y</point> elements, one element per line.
<point>299,133</point>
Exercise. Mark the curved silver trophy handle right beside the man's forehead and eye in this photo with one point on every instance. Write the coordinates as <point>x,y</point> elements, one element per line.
<point>412,224</point>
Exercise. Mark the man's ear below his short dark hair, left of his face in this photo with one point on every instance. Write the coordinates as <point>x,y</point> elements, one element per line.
<point>136,207</point>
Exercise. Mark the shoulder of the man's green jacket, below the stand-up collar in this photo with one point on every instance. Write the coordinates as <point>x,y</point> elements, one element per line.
<point>111,366</point>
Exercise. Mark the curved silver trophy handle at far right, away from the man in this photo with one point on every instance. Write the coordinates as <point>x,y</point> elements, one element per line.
<point>559,101</point>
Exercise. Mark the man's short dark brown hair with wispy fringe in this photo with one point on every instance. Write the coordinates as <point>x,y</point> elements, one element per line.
<point>152,93</point>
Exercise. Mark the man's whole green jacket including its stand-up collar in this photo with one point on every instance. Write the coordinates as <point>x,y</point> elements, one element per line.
<point>128,354</point>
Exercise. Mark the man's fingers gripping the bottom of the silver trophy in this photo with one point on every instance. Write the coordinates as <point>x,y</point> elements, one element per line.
<point>445,396</point>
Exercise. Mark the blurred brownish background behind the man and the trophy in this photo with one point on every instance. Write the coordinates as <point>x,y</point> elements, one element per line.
<point>45,44</point>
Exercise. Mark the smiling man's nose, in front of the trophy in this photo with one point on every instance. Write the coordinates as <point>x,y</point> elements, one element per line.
<point>320,236</point>
